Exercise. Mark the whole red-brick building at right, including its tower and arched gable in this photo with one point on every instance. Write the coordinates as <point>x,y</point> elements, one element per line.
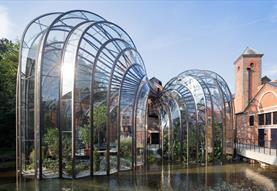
<point>255,101</point>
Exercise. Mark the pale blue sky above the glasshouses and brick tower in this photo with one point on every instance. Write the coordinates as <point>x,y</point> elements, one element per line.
<point>173,36</point>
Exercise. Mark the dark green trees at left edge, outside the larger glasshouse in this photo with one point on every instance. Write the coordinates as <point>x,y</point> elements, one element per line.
<point>8,73</point>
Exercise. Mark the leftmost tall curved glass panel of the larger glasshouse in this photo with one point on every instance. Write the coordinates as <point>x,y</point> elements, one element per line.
<point>29,53</point>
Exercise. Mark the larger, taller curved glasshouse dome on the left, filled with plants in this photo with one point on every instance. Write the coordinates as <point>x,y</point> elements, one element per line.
<point>82,95</point>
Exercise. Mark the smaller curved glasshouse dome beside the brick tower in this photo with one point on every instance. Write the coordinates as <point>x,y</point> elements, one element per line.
<point>198,109</point>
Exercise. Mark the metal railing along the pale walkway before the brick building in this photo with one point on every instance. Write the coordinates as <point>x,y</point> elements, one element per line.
<point>263,146</point>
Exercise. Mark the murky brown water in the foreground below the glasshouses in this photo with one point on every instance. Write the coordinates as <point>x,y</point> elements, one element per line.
<point>236,176</point>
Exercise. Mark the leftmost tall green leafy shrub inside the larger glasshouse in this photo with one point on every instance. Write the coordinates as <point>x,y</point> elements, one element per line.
<point>51,139</point>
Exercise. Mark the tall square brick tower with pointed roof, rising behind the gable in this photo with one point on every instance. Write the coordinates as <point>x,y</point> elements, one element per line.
<point>248,69</point>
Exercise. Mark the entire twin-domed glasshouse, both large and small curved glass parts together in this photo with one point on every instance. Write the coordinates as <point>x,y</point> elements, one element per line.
<point>84,103</point>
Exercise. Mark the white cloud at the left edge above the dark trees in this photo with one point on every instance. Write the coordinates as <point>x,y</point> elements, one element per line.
<point>6,25</point>
